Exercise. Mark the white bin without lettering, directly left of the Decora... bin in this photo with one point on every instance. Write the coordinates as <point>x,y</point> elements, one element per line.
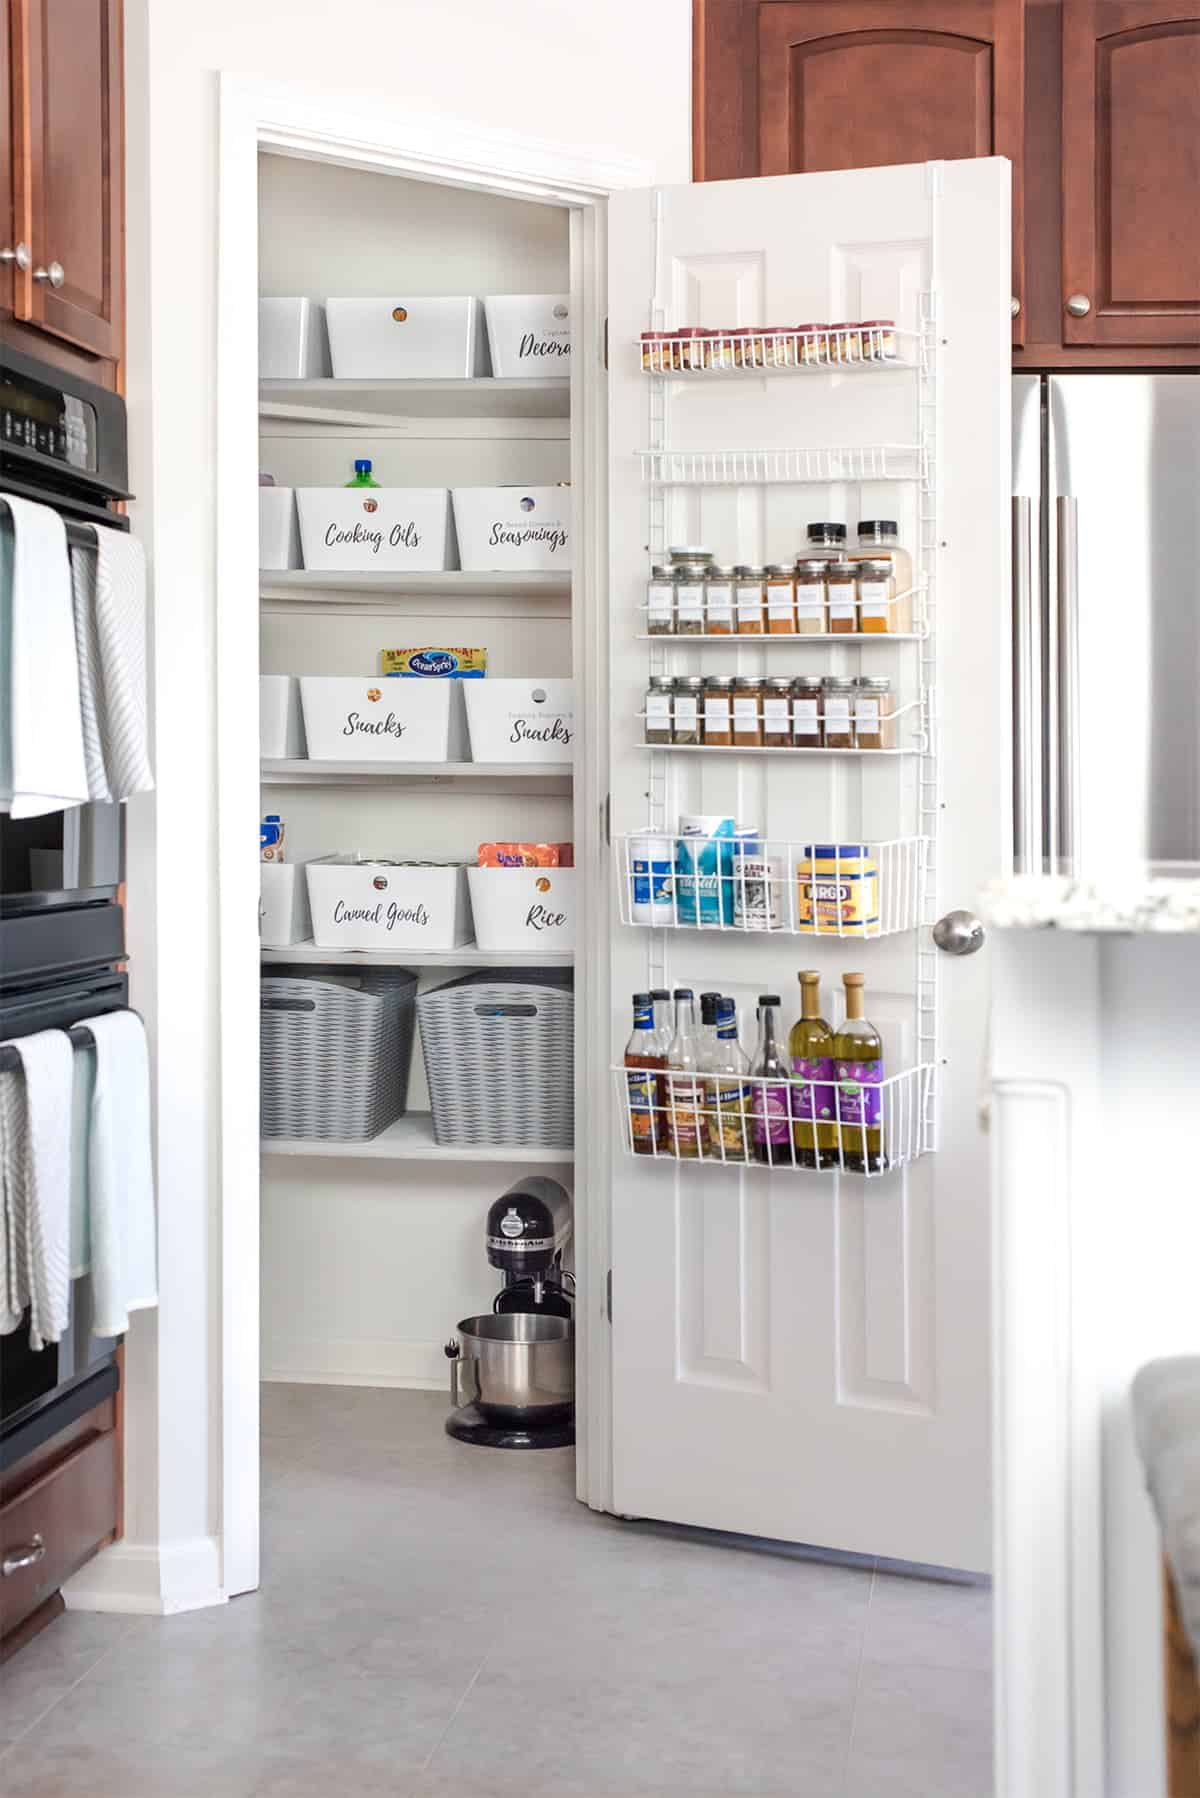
<point>399,337</point>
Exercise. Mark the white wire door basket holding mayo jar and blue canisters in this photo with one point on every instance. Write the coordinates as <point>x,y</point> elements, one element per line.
<point>771,887</point>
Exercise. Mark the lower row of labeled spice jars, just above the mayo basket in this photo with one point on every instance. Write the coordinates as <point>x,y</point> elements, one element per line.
<point>775,713</point>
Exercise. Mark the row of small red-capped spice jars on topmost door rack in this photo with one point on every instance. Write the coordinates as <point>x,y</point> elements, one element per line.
<point>809,346</point>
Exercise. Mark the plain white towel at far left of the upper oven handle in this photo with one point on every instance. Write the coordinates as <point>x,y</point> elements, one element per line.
<point>49,770</point>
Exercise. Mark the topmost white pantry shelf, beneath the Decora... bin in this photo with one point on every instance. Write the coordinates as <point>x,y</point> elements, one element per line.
<point>328,402</point>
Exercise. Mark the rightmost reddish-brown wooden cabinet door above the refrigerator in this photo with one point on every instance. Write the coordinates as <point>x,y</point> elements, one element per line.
<point>1133,172</point>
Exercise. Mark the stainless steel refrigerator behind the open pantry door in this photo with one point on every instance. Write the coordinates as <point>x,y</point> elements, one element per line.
<point>1106,623</point>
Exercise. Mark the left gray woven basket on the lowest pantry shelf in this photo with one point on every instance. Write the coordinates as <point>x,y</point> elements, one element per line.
<point>337,1055</point>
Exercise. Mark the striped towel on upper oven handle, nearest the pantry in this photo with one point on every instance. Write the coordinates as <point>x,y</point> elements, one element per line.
<point>109,592</point>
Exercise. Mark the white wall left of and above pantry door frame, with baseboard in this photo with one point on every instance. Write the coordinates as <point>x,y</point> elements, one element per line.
<point>560,71</point>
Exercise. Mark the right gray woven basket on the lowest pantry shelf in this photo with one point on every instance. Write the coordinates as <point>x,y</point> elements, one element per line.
<point>499,1058</point>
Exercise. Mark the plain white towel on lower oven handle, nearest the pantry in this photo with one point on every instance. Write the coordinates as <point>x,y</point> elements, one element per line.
<point>121,1182</point>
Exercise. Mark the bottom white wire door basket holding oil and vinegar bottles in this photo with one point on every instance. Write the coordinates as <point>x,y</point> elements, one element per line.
<point>737,1121</point>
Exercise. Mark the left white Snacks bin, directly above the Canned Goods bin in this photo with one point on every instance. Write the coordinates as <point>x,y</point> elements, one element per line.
<point>379,720</point>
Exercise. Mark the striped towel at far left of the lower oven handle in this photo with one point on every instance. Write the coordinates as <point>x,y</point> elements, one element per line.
<point>35,1164</point>
